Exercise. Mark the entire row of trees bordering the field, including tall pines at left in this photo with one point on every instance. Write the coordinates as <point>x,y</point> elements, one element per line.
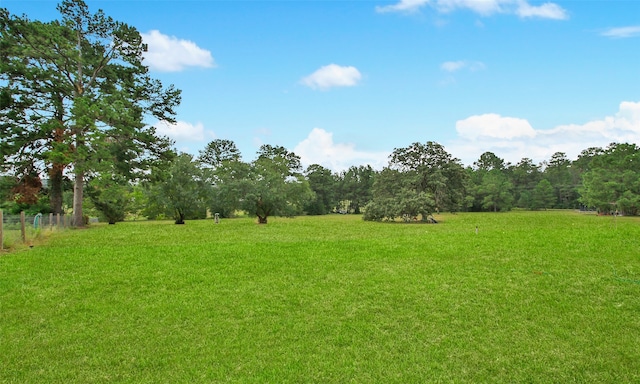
<point>75,96</point>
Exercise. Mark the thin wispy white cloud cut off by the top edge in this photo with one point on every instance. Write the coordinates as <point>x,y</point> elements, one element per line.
<point>522,8</point>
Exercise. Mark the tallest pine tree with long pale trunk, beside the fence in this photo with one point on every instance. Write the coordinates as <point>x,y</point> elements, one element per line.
<point>86,73</point>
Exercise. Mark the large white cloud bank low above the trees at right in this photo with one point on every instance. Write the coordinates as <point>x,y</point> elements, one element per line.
<point>513,138</point>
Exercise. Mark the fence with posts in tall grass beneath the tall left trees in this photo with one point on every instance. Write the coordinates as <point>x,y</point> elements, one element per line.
<point>25,229</point>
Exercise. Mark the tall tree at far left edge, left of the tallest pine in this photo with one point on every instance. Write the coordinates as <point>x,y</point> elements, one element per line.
<point>32,103</point>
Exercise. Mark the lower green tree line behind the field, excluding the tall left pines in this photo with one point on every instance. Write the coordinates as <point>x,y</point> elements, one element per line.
<point>419,180</point>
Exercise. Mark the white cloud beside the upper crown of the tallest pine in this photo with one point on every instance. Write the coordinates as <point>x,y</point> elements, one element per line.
<point>170,54</point>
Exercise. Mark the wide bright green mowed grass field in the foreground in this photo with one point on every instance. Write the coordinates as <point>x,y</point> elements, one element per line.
<point>532,297</point>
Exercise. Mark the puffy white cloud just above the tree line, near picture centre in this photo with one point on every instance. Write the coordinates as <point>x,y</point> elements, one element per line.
<point>319,148</point>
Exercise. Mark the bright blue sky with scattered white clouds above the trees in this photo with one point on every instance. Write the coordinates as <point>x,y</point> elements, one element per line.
<point>343,83</point>
